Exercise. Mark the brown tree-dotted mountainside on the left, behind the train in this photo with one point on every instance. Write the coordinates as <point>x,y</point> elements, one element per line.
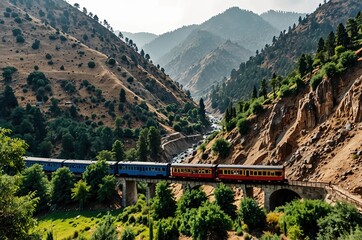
<point>70,86</point>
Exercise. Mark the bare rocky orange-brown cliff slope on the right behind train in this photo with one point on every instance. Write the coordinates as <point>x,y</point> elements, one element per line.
<point>316,135</point>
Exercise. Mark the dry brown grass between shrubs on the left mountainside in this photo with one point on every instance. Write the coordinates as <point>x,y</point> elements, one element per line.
<point>109,79</point>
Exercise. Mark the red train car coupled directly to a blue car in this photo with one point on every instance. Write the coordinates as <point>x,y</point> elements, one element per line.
<point>203,171</point>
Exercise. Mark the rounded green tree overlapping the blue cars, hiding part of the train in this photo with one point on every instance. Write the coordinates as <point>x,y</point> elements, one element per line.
<point>94,175</point>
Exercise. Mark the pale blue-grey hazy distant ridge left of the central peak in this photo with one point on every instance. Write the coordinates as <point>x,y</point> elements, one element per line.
<point>167,41</point>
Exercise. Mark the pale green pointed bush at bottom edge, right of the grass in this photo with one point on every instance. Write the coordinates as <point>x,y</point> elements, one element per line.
<point>106,230</point>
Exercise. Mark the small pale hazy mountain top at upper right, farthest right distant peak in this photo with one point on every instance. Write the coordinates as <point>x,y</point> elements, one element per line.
<point>282,20</point>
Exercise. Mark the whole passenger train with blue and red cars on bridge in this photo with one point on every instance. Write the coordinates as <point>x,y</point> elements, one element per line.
<point>218,172</point>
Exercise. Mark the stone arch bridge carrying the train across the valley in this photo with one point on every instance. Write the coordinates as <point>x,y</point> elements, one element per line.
<point>275,194</point>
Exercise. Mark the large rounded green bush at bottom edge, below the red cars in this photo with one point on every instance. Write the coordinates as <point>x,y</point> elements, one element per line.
<point>210,223</point>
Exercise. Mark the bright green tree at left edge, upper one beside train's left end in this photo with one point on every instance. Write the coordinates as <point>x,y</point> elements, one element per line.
<point>11,153</point>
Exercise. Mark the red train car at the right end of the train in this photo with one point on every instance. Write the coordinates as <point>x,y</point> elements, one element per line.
<point>250,173</point>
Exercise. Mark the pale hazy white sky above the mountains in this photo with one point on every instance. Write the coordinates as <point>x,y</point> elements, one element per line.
<point>160,16</point>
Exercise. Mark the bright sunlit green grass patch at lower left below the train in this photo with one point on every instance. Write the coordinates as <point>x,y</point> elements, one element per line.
<point>65,223</point>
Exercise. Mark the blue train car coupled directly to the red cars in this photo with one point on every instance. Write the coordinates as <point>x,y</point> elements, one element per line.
<point>143,169</point>
